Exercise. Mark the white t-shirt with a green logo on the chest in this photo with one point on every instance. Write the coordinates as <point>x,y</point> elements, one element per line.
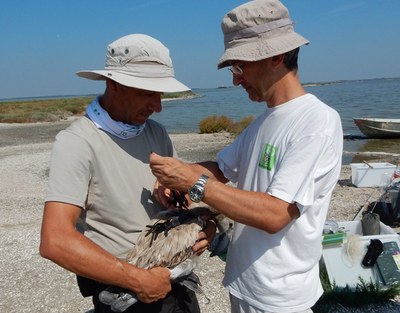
<point>292,152</point>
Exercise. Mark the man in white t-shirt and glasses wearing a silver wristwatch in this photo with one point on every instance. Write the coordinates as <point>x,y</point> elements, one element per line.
<point>286,164</point>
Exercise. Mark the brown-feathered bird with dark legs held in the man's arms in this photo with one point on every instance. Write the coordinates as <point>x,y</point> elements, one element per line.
<point>167,241</point>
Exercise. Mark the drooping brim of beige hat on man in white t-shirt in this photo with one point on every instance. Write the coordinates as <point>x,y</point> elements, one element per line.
<point>251,50</point>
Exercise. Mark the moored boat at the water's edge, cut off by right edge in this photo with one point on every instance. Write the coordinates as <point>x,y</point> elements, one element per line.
<point>379,127</point>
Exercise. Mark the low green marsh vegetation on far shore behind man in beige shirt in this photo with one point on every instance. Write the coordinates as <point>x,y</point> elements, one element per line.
<point>51,110</point>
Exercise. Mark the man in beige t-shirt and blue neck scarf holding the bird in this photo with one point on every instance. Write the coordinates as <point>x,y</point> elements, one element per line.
<point>100,180</point>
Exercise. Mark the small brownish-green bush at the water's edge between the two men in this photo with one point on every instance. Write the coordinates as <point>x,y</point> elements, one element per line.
<point>216,124</point>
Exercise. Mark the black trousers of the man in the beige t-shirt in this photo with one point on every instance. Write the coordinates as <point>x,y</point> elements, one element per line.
<point>178,300</point>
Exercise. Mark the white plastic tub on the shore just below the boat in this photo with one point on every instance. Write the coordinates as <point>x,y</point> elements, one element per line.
<point>363,175</point>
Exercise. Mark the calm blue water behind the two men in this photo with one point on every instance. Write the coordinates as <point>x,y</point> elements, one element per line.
<point>364,98</point>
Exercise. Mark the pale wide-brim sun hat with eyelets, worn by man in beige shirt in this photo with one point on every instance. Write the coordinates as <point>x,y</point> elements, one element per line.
<point>138,61</point>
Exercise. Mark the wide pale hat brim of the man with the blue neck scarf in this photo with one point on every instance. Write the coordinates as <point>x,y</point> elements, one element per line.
<point>159,84</point>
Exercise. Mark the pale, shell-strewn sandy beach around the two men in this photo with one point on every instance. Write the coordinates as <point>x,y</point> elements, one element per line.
<point>30,283</point>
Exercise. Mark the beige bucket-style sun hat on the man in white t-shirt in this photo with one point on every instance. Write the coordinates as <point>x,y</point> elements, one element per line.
<point>258,30</point>
